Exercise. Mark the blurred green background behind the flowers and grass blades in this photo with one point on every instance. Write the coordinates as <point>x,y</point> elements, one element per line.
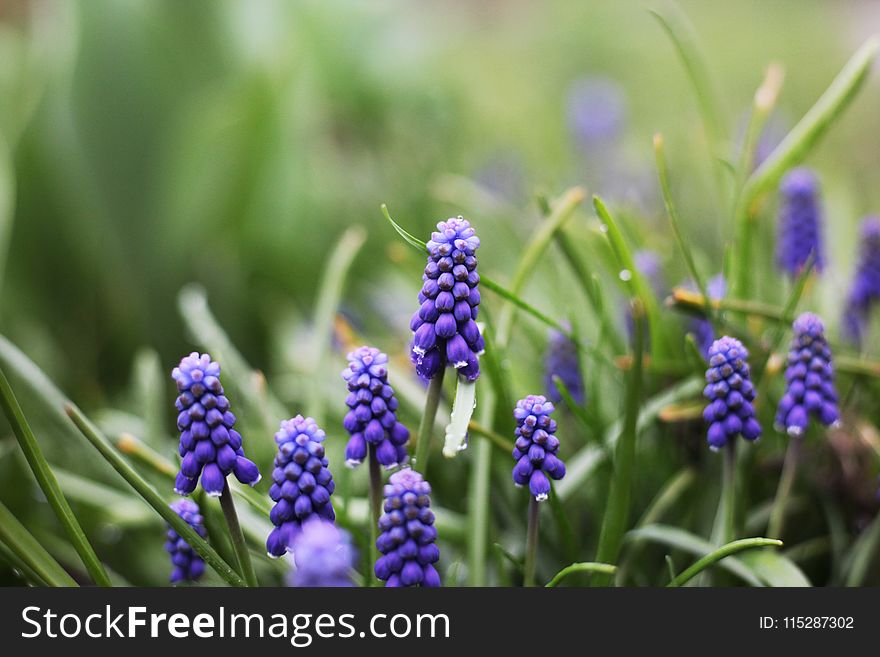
<point>148,144</point>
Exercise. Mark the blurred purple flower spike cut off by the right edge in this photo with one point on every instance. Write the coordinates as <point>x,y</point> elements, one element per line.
<point>864,291</point>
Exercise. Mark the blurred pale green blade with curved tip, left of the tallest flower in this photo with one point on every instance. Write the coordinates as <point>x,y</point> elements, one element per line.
<point>329,293</point>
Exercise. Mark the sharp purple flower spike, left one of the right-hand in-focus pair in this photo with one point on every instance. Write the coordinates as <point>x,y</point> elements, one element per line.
<point>730,393</point>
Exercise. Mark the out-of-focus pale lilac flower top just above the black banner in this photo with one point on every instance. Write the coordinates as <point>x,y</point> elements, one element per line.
<point>323,556</point>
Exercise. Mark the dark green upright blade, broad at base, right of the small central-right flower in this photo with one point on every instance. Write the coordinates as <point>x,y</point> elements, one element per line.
<point>617,512</point>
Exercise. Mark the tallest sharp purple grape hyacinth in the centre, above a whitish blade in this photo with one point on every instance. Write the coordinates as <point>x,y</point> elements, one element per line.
<point>445,328</point>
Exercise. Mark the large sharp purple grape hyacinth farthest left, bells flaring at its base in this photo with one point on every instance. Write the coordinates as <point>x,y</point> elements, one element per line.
<point>210,447</point>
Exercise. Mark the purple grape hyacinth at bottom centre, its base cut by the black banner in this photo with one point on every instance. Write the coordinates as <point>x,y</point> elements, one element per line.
<point>407,538</point>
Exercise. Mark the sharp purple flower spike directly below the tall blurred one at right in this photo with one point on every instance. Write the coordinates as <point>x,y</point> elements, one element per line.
<point>809,379</point>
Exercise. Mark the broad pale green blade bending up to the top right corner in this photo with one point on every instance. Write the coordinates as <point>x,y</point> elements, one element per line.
<point>791,151</point>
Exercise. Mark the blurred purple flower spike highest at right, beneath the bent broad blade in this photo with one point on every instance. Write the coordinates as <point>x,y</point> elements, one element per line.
<point>800,222</point>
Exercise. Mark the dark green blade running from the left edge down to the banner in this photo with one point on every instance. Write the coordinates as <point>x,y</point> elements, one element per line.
<point>49,485</point>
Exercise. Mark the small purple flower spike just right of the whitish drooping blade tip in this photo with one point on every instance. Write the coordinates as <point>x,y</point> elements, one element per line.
<point>536,445</point>
